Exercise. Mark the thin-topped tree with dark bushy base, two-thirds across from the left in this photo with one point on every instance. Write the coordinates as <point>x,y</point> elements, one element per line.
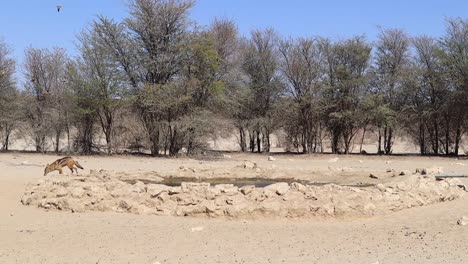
<point>302,66</point>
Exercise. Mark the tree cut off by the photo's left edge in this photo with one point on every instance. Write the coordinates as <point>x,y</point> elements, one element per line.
<point>9,97</point>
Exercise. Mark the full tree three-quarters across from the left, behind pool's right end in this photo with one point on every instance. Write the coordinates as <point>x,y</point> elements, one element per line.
<point>347,64</point>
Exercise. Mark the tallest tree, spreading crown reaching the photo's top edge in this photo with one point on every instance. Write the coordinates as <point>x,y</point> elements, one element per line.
<point>148,46</point>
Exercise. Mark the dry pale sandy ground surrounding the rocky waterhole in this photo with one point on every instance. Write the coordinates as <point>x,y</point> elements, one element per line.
<point>420,235</point>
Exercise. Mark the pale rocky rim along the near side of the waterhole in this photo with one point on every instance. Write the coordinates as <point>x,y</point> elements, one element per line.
<point>101,192</point>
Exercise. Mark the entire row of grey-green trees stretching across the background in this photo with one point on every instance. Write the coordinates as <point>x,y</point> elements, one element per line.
<point>168,84</point>
